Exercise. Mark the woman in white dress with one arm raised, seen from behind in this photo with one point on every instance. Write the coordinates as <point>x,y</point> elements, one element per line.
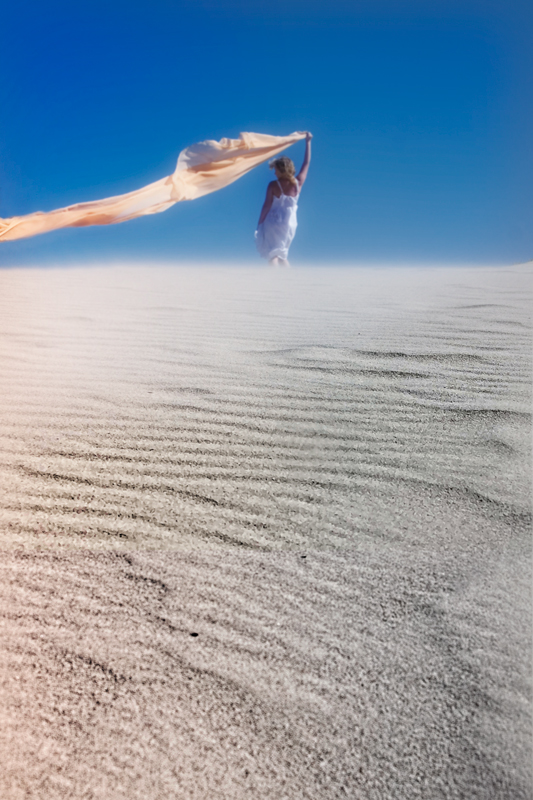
<point>277,223</point>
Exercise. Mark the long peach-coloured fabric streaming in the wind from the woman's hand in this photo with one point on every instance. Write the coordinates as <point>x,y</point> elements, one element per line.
<point>202,168</point>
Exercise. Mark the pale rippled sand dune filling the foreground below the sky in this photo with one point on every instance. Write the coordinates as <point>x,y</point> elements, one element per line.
<point>265,534</point>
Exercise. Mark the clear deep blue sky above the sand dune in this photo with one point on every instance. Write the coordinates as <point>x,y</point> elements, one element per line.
<point>421,112</point>
